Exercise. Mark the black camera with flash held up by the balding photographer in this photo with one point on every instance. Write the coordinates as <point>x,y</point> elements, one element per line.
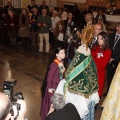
<point>8,86</point>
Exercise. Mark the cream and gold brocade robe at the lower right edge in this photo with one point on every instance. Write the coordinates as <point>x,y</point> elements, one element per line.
<point>111,104</point>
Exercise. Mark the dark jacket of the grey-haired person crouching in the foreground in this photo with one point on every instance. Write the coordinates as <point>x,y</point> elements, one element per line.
<point>69,112</point>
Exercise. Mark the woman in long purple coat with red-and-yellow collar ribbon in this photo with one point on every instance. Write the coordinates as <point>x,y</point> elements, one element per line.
<point>52,79</point>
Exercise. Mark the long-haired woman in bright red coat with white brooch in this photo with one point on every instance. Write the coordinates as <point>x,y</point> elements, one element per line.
<point>101,55</point>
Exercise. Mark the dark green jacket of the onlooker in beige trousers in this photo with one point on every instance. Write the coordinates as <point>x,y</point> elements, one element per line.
<point>47,20</point>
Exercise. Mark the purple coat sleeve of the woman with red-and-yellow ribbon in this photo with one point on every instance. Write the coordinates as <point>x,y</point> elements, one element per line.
<point>52,71</point>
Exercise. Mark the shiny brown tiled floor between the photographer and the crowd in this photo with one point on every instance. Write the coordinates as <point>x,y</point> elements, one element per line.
<point>28,67</point>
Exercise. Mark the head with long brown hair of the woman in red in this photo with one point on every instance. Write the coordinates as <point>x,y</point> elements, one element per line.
<point>103,40</point>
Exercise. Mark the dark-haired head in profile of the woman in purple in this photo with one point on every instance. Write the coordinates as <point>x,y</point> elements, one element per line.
<point>60,52</point>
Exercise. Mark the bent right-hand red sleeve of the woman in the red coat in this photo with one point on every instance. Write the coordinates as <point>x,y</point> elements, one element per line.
<point>105,61</point>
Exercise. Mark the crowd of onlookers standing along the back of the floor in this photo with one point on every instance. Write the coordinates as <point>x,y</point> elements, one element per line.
<point>38,23</point>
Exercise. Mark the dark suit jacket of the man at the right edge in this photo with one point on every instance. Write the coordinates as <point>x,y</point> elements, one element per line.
<point>116,51</point>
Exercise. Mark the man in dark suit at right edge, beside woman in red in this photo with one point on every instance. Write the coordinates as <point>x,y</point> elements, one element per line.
<point>114,42</point>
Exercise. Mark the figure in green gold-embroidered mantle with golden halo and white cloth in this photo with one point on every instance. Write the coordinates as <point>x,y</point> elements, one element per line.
<point>81,85</point>
